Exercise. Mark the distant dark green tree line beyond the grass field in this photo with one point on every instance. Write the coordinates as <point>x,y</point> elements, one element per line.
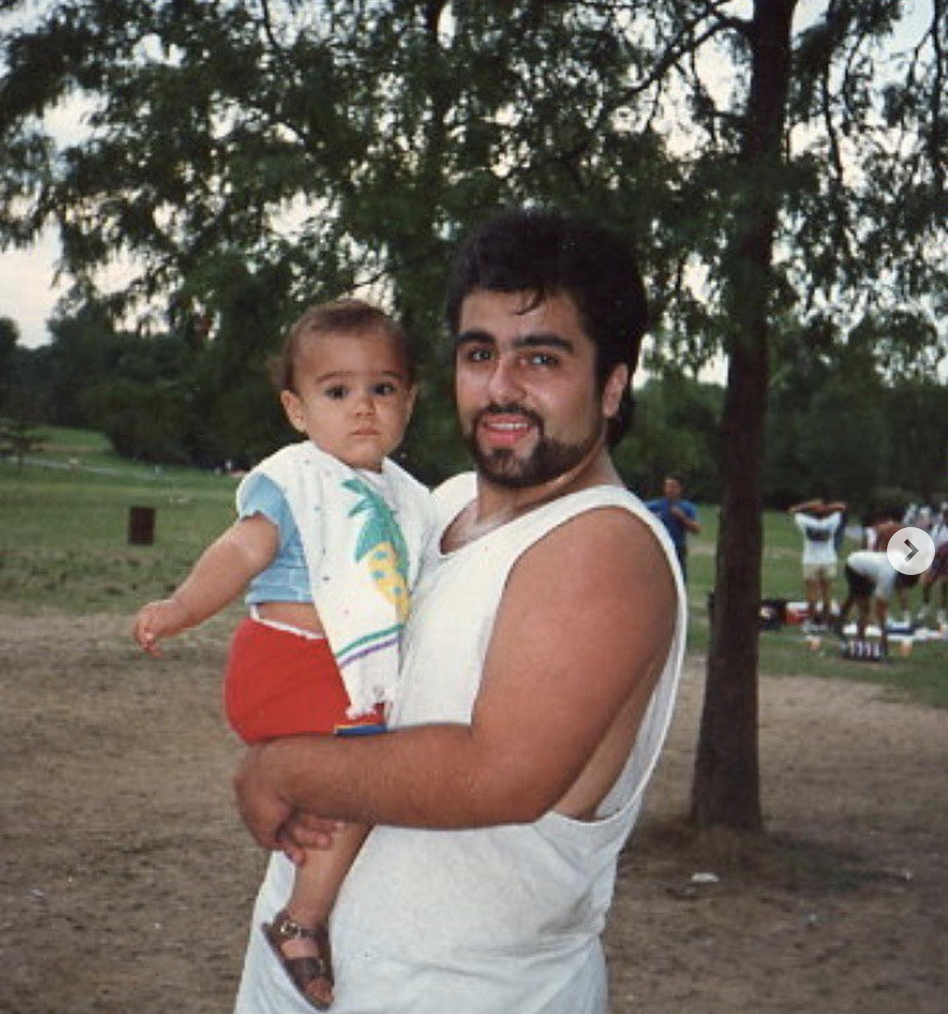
<point>838,423</point>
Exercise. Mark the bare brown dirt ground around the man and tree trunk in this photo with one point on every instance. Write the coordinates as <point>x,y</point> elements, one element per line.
<point>126,880</point>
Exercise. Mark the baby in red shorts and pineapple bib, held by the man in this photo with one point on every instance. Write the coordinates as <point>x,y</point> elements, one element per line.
<point>329,538</point>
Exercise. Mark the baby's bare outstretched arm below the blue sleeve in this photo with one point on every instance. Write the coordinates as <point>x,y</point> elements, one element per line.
<point>217,578</point>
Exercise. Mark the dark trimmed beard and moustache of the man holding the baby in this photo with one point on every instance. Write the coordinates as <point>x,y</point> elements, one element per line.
<point>549,460</point>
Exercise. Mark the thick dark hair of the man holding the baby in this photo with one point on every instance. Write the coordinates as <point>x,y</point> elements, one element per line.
<point>547,253</point>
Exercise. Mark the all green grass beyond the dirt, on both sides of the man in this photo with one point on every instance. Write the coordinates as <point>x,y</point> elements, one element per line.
<point>64,548</point>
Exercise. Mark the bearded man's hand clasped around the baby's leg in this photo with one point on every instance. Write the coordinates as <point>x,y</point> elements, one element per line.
<point>269,817</point>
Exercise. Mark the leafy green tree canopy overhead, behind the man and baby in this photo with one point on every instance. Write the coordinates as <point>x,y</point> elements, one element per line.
<point>254,159</point>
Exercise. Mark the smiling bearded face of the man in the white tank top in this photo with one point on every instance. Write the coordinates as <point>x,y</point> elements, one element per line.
<point>528,398</point>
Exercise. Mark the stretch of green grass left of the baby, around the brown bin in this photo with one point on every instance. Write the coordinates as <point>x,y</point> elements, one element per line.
<point>64,540</point>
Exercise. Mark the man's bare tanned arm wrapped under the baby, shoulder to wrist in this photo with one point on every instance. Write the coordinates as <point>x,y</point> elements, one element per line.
<point>579,641</point>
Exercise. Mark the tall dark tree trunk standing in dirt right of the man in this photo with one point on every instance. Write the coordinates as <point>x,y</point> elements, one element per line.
<point>726,790</point>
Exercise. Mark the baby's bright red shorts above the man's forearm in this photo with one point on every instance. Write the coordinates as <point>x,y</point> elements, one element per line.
<point>279,684</point>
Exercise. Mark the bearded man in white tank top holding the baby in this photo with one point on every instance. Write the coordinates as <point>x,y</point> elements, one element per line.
<point>539,673</point>
